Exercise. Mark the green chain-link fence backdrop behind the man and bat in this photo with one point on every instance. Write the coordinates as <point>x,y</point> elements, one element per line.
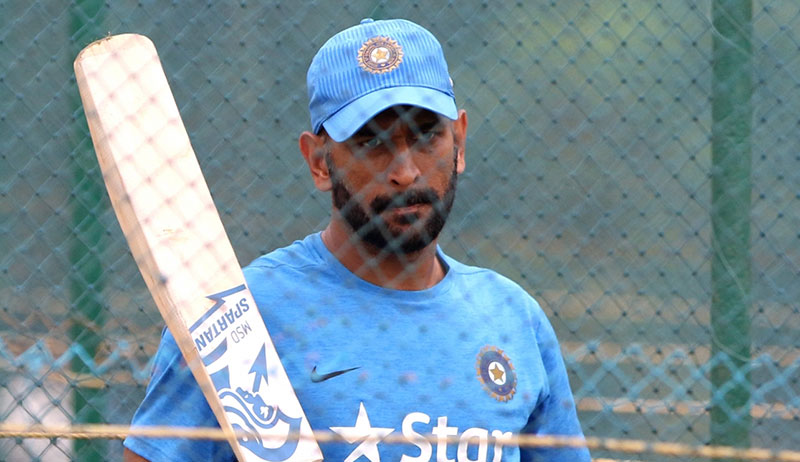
<point>633,165</point>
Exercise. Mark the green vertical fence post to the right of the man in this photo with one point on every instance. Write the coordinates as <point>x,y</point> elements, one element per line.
<point>730,221</point>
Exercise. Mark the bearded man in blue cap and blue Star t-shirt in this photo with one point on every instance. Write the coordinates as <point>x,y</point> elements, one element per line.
<point>379,331</point>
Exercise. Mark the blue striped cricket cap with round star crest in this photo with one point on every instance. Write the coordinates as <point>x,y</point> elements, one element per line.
<point>368,68</point>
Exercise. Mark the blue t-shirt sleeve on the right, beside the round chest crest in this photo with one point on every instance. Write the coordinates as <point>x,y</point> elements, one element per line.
<point>555,414</point>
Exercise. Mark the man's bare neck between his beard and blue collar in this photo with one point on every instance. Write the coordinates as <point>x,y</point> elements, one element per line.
<point>417,271</point>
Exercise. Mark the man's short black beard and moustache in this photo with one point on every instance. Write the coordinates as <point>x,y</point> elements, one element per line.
<point>373,230</point>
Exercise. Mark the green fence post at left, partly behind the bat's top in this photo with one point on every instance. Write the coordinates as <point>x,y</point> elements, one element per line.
<point>86,279</point>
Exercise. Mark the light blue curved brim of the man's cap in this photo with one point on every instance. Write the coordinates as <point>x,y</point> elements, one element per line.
<point>345,122</point>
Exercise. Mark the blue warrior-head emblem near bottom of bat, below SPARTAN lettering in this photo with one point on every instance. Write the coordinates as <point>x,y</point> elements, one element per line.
<point>267,428</point>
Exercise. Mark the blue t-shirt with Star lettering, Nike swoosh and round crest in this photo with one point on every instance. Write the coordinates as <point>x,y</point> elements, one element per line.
<point>472,358</point>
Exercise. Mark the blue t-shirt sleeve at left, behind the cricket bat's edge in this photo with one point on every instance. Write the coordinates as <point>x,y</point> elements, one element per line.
<point>173,398</point>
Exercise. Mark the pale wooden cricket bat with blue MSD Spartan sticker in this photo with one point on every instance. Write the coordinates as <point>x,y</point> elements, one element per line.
<point>177,238</point>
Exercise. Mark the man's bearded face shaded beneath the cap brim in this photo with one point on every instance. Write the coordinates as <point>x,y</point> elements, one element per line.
<point>394,181</point>
